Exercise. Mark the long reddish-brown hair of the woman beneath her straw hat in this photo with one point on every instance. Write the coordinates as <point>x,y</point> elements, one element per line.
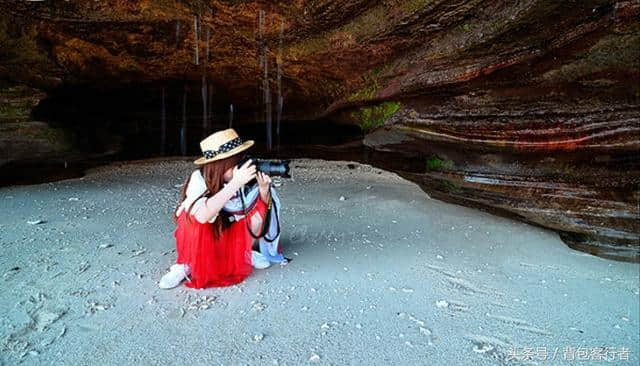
<point>213,174</point>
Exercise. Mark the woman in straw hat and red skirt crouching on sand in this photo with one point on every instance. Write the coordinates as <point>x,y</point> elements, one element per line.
<point>214,247</point>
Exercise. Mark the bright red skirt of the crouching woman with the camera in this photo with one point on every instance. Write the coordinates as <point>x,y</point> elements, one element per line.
<point>215,263</point>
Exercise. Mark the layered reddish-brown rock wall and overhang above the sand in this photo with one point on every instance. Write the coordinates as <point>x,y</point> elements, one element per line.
<point>524,107</point>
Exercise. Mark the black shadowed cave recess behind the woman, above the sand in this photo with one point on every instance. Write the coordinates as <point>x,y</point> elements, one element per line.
<point>118,124</point>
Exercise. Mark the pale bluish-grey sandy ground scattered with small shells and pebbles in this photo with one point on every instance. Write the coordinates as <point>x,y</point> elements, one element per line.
<point>383,276</point>
